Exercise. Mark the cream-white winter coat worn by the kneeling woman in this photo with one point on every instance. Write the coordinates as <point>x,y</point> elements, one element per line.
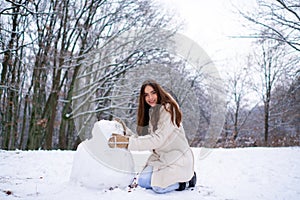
<point>172,158</point>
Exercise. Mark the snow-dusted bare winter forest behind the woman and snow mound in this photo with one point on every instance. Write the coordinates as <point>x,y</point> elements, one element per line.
<point>66,64</point>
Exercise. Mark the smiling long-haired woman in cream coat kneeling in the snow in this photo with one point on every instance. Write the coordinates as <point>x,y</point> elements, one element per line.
<point>171,164</point>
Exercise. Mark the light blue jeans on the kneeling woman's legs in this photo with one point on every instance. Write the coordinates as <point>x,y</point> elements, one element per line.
<point>145,182</point>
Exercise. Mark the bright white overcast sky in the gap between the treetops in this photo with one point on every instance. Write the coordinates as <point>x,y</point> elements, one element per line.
<point>212,23</point>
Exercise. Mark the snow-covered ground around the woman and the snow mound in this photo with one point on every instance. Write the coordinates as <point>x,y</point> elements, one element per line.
<point>241,174</point>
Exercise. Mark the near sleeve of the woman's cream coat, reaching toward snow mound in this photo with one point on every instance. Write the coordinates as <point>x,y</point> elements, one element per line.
<point>157,138</point>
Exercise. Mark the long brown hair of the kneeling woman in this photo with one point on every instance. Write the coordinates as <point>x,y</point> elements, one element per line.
<point>163,98</point>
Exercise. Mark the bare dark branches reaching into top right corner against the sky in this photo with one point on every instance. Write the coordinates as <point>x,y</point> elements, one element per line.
<point>277,20</point>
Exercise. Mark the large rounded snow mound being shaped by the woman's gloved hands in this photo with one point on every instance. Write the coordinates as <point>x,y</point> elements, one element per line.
<point>96,165</point>
